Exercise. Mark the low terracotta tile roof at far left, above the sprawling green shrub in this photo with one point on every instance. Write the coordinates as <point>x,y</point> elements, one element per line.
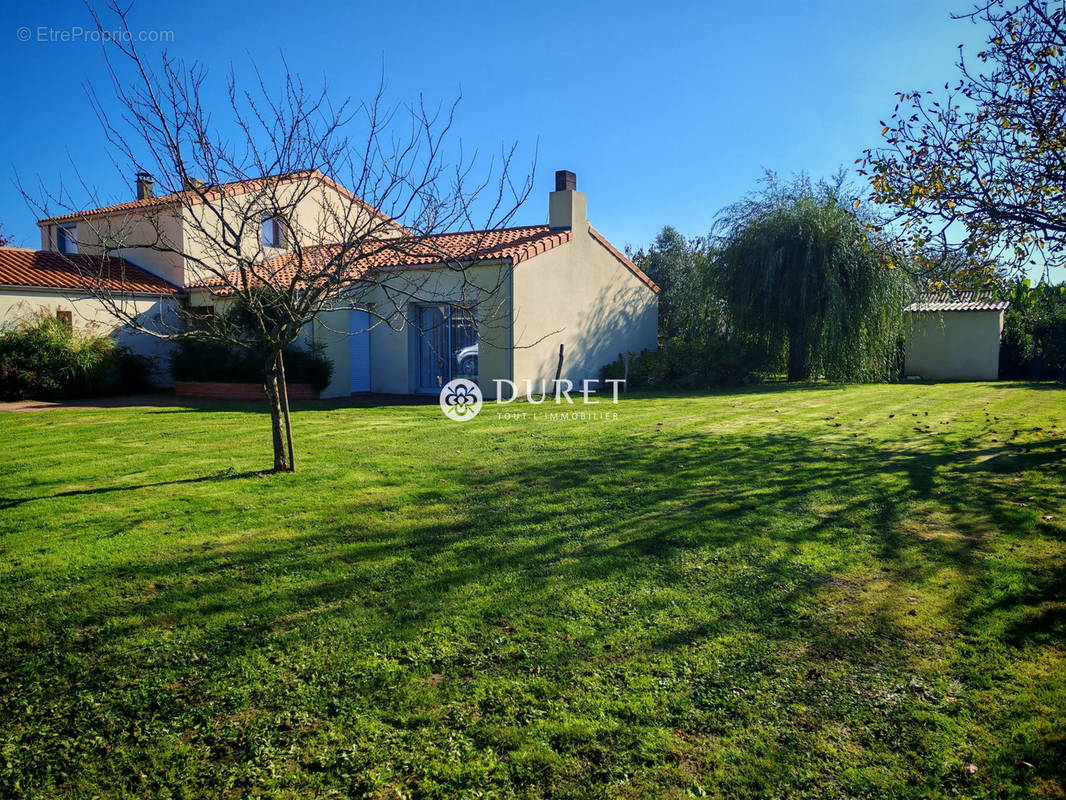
<point>42,268</point>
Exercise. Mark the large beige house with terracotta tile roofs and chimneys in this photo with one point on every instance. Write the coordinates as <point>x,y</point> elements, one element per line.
<point>493,307</point>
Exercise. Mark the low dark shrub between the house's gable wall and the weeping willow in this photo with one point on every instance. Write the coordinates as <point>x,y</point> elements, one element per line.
<point>681,364</point>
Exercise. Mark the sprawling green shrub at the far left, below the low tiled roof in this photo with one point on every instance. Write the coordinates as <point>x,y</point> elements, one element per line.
<point>45,359</point>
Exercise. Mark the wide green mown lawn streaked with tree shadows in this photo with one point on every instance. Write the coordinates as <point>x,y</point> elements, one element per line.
<point>805,593</point>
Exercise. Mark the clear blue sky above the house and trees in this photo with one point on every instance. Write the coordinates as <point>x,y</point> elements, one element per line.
<point>666,111</point>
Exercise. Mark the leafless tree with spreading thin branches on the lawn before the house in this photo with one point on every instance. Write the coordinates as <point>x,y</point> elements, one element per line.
<point>295,205</point>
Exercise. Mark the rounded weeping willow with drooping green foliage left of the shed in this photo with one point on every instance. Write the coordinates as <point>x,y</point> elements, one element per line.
<point>807,284</point>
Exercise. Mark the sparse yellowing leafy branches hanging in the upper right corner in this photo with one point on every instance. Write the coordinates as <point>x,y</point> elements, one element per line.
<point>986,162</point>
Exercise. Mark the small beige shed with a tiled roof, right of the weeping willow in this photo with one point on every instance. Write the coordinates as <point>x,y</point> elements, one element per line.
<point>955,338</point>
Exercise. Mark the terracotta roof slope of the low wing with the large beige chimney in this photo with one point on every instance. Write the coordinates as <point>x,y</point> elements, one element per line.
<point>514,245</point>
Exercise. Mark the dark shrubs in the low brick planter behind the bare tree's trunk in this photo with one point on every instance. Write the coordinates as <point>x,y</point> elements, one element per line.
<point>196,360</point>
